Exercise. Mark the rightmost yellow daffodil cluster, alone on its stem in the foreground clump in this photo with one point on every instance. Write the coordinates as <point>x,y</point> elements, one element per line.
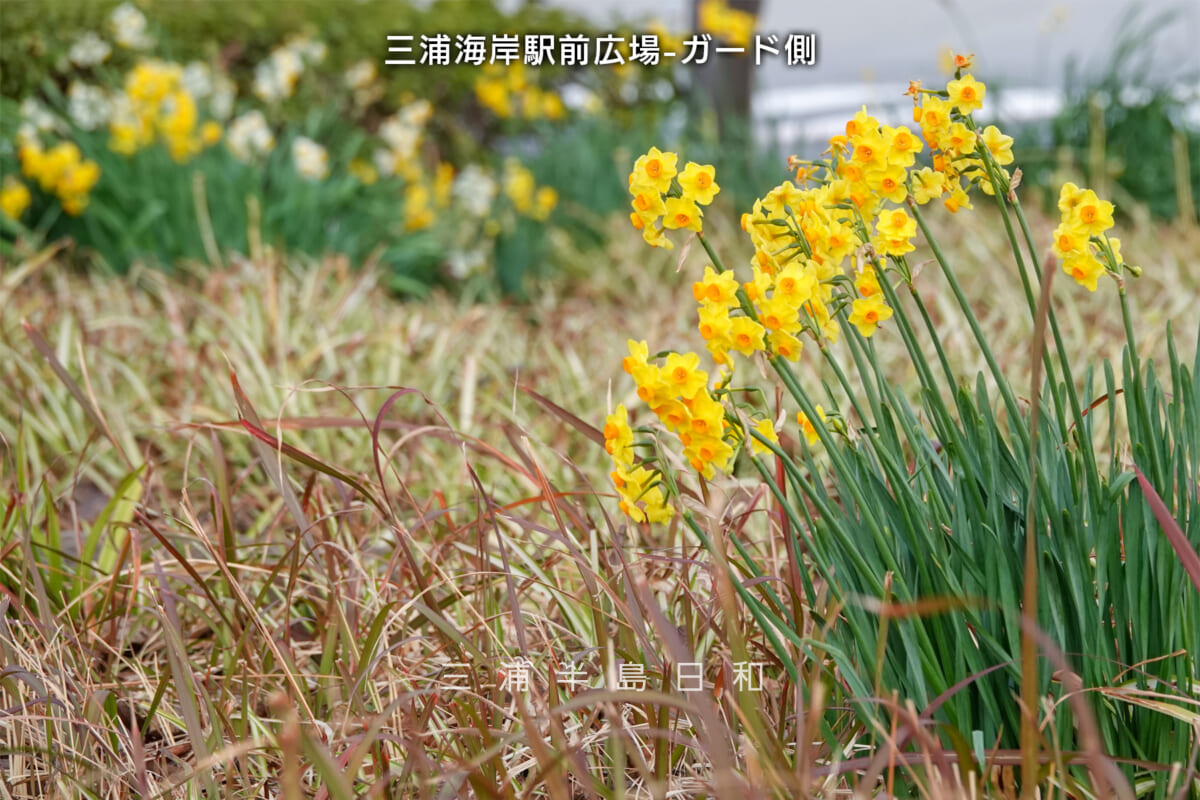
<point>1081,242</point>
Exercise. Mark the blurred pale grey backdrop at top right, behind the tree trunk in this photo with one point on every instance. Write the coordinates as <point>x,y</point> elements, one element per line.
<point>1027,43</point>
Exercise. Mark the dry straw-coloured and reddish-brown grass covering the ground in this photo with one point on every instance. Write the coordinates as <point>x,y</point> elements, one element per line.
<point>201,651</point>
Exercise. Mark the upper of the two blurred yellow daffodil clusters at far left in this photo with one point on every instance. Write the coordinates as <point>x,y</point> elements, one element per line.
<point>157,105</point>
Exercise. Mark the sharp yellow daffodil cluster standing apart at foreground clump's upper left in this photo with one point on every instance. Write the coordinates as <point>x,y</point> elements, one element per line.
<point>664,195</point>
